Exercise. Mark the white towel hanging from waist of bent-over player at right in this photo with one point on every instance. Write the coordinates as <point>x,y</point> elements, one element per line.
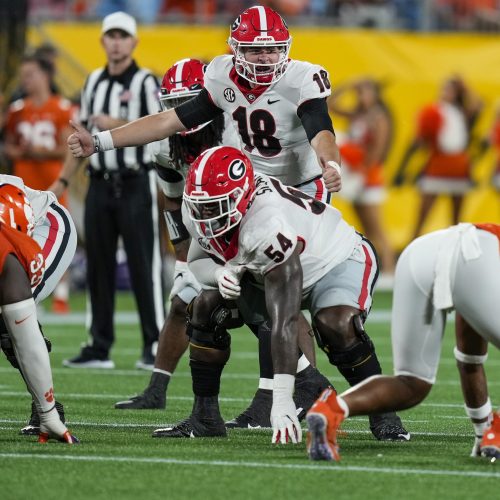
<point>462,237</point>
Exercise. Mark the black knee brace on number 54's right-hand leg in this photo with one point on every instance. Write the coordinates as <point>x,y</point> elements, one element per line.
<point>354,355</point>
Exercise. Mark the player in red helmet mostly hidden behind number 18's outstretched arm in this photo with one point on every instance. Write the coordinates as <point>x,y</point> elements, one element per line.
<point>182,82</point>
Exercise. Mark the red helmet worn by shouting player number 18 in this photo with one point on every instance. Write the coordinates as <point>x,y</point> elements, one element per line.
<point>259,27</point>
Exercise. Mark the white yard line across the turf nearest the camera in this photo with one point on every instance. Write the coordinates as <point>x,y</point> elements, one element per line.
<point>253,465</point>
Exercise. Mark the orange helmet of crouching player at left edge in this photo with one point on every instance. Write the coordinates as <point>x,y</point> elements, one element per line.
<point>15,209</point>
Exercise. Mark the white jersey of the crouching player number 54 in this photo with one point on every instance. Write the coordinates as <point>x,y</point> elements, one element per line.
<point>277,220</point>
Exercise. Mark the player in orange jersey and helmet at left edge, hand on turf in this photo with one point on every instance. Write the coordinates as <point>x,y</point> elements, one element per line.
<point>21,268</point>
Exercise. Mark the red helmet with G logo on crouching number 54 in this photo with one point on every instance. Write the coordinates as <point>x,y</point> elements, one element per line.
<point>219,188</point>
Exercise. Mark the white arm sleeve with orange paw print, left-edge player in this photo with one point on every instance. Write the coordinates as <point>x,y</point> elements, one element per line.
<point>31,352</point>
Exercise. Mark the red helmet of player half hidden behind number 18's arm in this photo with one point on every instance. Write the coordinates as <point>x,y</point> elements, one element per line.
<point>183,81</point>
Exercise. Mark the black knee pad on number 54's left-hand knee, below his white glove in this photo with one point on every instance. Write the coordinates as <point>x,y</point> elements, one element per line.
<point>212,334</point>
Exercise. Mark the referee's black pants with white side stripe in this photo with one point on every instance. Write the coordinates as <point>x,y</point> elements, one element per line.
<point>123,206</point>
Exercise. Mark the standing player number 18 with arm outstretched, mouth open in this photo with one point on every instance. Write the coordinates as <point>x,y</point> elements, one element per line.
<point>279,108</point>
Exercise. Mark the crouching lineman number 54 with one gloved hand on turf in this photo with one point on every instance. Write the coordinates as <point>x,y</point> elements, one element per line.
<point>272,250</point>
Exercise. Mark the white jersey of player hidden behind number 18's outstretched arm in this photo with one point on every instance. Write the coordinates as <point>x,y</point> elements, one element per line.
<point>160,152</point>
